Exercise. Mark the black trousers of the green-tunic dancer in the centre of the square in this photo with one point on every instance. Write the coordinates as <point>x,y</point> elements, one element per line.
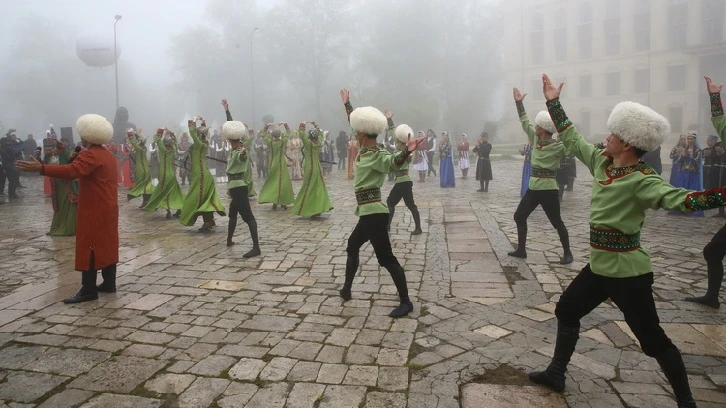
<point>373,228</point>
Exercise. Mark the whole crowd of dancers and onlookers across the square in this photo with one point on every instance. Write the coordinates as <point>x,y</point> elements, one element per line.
<point>625,187</point>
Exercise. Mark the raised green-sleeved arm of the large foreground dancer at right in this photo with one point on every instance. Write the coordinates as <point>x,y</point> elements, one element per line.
<point>571,138</point>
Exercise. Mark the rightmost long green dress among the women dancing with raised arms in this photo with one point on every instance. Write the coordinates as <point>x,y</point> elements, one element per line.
<point>312,199</point>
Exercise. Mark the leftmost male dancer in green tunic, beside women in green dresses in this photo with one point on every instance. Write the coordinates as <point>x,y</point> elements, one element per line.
<point>235,132</point>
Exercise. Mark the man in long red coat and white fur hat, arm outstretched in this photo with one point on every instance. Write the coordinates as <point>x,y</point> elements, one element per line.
<point>97,222</point>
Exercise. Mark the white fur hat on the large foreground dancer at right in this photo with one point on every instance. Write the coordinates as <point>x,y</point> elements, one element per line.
<point>638,125</point>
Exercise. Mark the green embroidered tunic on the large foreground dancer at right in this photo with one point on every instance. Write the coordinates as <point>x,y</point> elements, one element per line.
<point>620,197</point>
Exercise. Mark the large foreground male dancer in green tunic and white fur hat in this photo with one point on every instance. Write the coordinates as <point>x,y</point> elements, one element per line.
<point>620,269</point>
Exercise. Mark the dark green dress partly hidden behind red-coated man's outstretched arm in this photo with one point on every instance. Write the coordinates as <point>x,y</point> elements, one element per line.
<point>64,194</point>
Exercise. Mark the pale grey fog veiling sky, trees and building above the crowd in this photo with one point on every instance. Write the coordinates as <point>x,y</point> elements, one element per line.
<point>437,64</point>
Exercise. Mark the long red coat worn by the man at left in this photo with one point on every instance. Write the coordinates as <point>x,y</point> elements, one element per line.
<point>97,220</point>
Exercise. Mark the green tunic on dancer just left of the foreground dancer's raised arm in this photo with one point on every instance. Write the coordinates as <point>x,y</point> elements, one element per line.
<point>546,155</point>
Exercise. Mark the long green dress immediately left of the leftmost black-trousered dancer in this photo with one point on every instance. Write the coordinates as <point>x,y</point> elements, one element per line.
<point>202,195</point>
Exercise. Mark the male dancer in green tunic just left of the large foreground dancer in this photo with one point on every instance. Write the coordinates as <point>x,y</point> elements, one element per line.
<point>543,189</point>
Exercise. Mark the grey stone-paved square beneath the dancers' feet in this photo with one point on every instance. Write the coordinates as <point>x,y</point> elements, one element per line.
<point>195,325</point>
